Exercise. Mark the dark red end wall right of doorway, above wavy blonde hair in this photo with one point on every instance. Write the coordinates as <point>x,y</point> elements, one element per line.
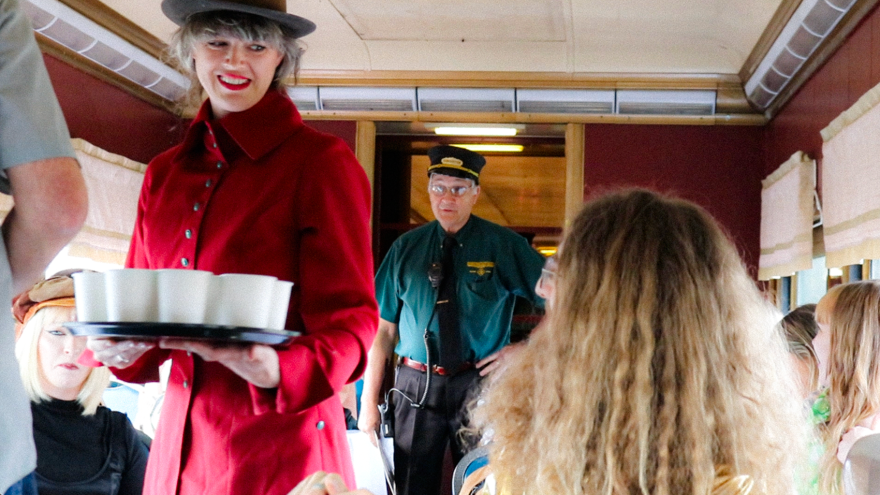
<point>717,167</point>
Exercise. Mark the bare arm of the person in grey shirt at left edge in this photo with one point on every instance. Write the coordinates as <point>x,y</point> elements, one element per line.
<point>50,207</point>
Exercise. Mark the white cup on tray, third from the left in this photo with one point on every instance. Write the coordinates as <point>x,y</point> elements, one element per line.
<point>183,295</point>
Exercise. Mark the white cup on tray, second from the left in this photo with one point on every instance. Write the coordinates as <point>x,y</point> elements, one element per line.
<point>131,295</point>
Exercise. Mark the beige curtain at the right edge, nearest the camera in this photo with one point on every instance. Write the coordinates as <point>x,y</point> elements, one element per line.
<point>851,183</point>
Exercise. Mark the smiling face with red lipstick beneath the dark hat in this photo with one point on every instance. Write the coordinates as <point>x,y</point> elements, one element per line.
<point>235,73</point>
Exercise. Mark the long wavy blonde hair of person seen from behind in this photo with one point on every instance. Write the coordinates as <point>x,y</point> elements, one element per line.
<point>660,363</point>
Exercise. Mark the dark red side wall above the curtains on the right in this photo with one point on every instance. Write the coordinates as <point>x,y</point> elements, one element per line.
<point>840,82</point>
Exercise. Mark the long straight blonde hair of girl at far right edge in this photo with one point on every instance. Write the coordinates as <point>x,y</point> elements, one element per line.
<point>853,369</point>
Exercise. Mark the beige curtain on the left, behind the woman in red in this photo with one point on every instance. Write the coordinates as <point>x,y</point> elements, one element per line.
<point>114,184</point>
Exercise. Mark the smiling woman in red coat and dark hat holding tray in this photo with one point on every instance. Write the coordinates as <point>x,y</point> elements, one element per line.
<point>253,190</point>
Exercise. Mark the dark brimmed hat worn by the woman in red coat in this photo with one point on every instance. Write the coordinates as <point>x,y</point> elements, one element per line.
<point>275,10</point>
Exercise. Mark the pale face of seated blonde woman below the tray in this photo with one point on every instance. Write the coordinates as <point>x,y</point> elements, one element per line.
<point>60,375</point>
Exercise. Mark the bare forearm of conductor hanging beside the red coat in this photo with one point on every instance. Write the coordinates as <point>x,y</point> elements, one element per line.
<point>377,360</point>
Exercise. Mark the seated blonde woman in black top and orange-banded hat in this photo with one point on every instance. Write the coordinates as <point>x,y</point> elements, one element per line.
<point>83,448</point>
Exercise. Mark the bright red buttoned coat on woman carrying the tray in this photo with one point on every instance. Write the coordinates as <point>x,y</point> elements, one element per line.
<point>259,192</point>
